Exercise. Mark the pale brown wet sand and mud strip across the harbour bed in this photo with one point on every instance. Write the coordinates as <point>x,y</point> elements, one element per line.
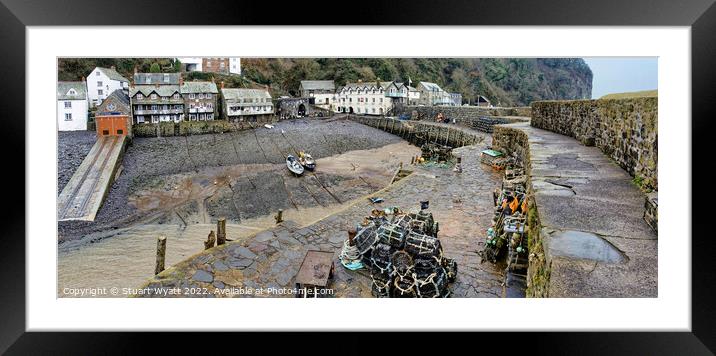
<point>185,207</point>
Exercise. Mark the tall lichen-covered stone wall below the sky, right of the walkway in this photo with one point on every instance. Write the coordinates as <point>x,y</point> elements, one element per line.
<point>624,129</point>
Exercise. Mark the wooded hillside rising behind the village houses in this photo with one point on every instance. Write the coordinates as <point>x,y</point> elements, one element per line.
<point>505,81</point>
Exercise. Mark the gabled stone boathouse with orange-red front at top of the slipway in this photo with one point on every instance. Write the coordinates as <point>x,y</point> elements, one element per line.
<point>114,115</point>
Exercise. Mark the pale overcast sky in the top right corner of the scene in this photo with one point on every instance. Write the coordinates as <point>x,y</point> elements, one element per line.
<point>622,74</point>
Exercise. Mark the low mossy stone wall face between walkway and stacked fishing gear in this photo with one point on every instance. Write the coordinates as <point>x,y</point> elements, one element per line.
<point>515,142</point>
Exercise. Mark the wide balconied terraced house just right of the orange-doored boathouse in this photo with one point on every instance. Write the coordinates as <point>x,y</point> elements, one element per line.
<point>156,97</point>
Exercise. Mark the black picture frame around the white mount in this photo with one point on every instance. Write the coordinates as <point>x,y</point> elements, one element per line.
<point>16,15</point>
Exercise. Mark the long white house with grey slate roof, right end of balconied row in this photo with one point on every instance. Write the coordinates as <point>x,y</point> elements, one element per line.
<point>252,105</point>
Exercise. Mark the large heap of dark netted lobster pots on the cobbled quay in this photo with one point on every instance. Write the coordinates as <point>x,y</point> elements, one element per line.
<point>405,257</point>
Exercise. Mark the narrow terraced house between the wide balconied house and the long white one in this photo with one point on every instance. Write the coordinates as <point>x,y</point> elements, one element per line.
<point>200,100</point>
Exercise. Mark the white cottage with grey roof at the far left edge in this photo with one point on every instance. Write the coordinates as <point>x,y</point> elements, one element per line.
<point>71,106</point>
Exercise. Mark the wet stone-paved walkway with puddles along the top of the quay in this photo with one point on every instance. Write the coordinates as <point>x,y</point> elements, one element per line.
<point>595,241</point>
